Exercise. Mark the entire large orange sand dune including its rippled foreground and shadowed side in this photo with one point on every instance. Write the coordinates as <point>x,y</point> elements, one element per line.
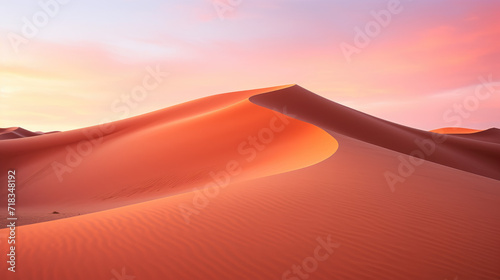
<point>248,185</point>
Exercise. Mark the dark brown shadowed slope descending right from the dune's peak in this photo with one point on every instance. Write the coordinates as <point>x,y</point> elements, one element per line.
<point>464,153</point>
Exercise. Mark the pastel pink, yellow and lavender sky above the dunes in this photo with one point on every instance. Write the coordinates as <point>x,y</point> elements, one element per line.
<point>67,64</point>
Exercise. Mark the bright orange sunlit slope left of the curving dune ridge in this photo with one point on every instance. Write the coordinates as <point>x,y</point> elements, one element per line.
<point>158,154</point>
